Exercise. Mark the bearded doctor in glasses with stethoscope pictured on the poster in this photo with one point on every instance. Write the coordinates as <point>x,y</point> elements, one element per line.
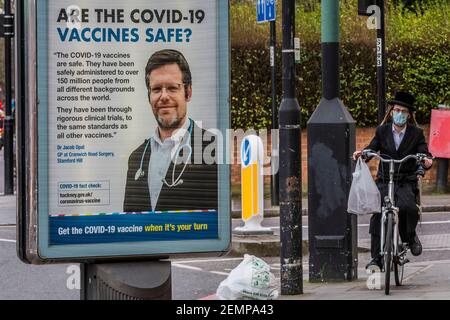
<point>167,171</point>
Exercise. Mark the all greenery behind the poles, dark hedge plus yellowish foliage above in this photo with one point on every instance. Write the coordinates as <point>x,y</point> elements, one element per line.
<point>418,53</point>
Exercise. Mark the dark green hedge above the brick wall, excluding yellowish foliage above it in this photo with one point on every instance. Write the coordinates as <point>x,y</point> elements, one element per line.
<point>422,70</point>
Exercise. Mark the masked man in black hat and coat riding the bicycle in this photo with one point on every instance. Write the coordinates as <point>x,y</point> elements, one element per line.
<point>396,137</point>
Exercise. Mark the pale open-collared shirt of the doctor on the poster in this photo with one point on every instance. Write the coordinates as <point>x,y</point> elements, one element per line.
<point>161,156</point>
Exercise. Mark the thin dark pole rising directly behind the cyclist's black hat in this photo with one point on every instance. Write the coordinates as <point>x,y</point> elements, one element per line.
<point>381,64</point>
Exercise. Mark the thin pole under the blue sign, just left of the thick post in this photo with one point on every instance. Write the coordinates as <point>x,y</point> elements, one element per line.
<point>274,177</point>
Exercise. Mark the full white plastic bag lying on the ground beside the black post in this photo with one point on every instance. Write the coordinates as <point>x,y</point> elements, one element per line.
<point>251,279</point>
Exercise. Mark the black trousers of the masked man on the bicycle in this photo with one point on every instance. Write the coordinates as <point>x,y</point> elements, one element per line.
<point>406,196</point>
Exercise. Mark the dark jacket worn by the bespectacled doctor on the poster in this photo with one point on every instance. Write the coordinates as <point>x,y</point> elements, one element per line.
<point>197,192</point>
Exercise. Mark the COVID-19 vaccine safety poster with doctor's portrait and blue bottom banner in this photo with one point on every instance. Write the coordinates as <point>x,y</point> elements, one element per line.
<point>135,92</point>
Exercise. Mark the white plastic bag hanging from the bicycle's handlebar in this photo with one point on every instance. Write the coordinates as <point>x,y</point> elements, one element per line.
<point>364,197</point>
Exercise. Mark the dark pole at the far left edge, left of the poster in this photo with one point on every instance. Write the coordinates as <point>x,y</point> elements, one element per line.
<point>9,124</point>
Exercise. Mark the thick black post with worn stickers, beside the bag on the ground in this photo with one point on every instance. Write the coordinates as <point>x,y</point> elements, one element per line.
<point>290,165</point>
